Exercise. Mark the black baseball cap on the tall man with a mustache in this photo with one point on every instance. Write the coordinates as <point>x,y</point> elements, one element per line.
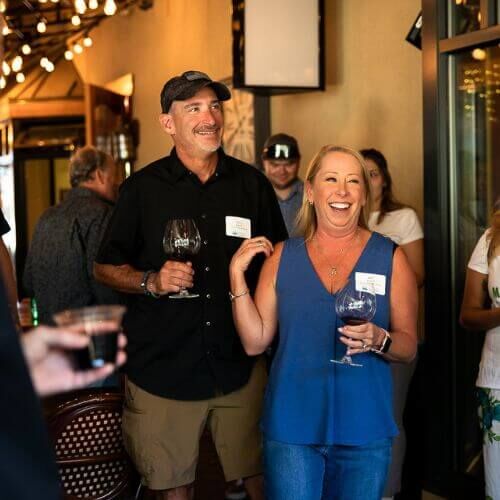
<point>180,88</point>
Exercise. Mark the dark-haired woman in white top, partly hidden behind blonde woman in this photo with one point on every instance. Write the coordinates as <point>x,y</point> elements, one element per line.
<point>400,223</point>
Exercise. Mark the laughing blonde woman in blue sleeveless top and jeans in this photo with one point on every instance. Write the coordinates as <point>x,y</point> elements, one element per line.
<point>327,427</point>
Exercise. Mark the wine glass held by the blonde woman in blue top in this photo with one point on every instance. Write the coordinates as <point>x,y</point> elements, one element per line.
<point>354,307</point>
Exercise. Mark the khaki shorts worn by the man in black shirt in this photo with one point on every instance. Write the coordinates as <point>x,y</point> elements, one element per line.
<point>162,435</point>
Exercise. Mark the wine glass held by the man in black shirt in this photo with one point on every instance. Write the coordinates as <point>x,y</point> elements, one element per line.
<point>181,242</point>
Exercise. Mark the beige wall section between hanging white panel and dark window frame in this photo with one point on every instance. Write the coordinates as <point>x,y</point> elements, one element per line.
<point>374,91</point>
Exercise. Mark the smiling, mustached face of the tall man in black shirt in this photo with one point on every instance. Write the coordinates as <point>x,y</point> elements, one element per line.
<point>195,124</point>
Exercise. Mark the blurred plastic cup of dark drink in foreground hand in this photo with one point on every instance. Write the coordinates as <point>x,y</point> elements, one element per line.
<point>102,324</point>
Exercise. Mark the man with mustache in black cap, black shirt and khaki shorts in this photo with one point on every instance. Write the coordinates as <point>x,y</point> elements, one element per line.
<point>186,365</point>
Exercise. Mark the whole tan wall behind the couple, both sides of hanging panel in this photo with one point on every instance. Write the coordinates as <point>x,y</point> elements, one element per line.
<point>374,78</point>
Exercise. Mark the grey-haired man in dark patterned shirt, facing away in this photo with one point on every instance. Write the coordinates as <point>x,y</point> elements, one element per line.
<point>59,265</point>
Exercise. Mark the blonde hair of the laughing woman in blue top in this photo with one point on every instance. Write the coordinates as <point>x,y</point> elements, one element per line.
<point>306,221</point>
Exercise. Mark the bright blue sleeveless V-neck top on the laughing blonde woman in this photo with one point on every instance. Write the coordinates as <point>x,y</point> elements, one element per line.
<point>309,399</point>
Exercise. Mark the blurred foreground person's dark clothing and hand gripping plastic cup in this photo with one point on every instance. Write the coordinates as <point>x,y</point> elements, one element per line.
<point>40,358</point>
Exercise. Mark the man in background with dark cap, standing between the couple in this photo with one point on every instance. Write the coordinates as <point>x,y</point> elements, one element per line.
<point>281,161</point>
